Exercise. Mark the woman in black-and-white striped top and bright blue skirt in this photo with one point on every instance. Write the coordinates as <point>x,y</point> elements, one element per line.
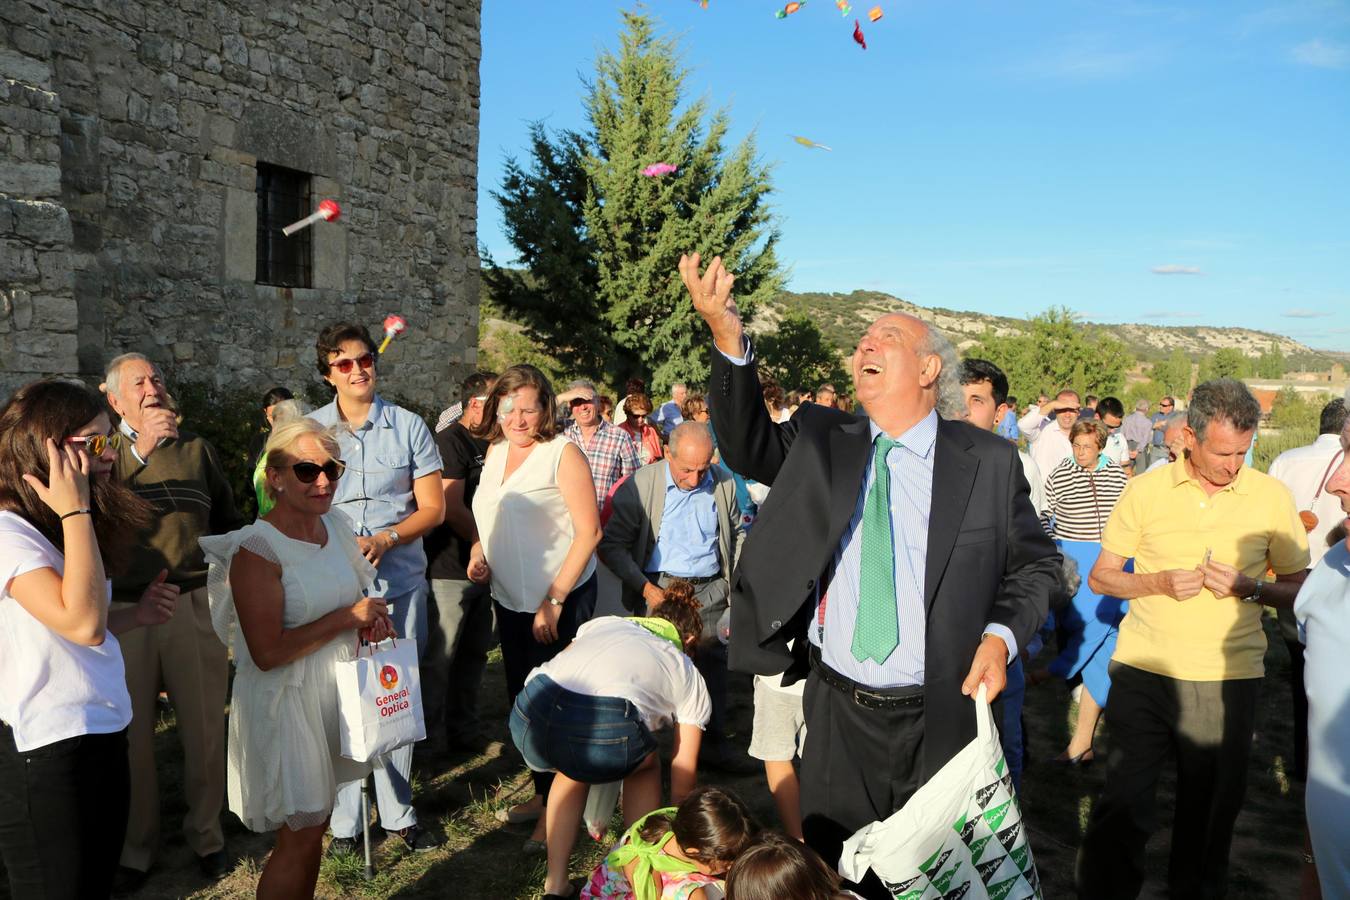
<point>1081,495</point>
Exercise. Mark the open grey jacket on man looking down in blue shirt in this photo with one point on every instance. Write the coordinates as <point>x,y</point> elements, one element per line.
<point>632,531</point>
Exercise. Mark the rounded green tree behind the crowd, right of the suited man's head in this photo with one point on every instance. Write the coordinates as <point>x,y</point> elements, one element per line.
<point>1056,353</point>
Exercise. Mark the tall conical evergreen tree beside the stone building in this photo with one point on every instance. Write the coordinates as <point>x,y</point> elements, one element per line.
<point>601,241</point>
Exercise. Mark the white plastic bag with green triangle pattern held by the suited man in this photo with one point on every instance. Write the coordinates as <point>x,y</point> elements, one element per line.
<point>961,836</point>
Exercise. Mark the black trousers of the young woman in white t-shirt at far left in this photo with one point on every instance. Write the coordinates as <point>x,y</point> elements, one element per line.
<point>64,816</point>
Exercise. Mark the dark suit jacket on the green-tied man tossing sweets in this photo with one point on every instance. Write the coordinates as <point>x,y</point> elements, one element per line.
<point>988,558</point>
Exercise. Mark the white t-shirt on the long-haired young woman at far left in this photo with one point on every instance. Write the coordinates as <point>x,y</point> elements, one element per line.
<point>52,689</point>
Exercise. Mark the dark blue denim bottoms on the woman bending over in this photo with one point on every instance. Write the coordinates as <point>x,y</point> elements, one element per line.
<point>592,740</point>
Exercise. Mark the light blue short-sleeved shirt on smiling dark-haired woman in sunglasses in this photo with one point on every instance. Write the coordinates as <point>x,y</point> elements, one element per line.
<point>384,458</point>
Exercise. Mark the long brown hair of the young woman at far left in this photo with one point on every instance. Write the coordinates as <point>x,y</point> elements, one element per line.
<point>57,408</point>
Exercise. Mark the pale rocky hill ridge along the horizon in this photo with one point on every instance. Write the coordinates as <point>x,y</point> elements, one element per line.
<point>843,318</point>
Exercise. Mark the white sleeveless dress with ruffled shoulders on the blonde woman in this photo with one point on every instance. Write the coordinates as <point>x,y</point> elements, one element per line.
<point>284,762</point>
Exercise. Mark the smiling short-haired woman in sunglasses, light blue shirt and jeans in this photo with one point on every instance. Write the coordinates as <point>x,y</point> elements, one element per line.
<point>392,497</point>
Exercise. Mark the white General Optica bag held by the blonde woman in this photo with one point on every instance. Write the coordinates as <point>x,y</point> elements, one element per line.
<point>380,701</point>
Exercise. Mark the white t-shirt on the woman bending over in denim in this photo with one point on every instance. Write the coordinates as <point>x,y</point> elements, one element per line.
<point>612,656</point>
